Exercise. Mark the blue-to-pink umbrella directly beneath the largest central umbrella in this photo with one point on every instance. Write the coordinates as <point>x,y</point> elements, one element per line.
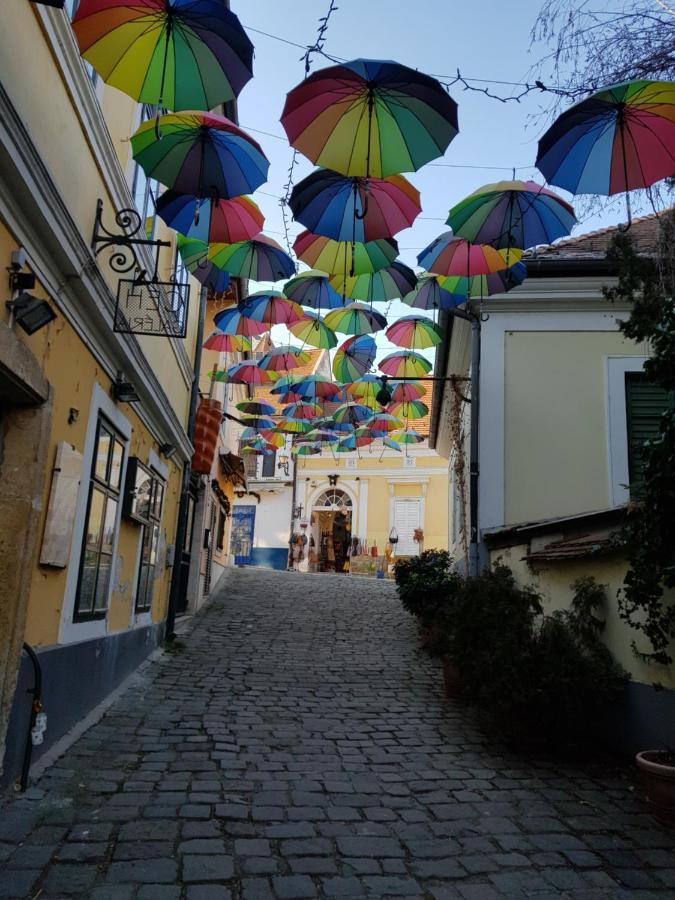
<point>354,209</point>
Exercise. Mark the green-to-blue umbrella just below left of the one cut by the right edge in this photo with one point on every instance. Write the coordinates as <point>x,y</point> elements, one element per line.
<point>512,214</point>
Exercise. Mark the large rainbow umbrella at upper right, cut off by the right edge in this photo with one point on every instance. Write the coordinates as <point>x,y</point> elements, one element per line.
<point>617,140</point>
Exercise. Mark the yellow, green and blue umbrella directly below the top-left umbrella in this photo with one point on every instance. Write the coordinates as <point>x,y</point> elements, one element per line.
<point>200,154</point>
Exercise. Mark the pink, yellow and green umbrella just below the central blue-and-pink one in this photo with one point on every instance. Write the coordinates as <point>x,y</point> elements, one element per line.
<point>343,256</point>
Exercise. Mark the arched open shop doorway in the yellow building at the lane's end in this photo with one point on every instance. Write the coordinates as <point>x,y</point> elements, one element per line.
<point>330,532</point>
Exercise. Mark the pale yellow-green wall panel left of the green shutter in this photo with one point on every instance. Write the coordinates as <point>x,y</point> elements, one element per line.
<point>555,452</point>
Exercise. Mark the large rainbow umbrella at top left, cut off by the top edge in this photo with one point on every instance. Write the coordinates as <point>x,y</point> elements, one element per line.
<point>175,54</point>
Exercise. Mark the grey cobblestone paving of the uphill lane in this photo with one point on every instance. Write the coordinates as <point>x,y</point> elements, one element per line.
<point>298,745</point>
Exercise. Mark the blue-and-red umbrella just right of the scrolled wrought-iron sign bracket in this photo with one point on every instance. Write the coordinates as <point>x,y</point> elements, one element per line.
<point>211,221</point>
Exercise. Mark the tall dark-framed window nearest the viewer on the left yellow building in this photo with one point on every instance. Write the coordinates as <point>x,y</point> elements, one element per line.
<point>91,599</point>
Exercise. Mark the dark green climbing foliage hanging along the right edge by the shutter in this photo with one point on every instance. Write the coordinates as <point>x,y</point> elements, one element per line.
<point>648,535</point>
